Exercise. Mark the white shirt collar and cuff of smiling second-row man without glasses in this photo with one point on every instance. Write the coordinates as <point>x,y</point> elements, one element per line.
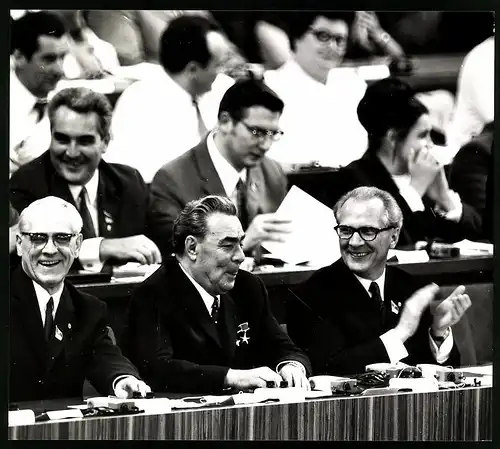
<point>89,252</point>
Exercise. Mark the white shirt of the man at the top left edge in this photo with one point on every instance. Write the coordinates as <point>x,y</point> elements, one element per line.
<point>27,138</point>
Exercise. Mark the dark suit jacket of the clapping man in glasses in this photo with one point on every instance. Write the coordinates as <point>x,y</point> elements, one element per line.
<point>339,329</point>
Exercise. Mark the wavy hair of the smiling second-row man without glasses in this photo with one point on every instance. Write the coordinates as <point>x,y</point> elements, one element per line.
<point>84,101</point>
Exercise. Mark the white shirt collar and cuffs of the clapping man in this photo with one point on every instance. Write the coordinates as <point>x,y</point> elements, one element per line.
<point>395,348</point>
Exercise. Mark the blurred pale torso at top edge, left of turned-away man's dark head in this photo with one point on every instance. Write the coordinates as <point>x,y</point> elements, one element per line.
<point>134,33</point>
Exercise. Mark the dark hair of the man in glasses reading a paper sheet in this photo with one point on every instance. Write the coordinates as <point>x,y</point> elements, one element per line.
<point>247,93</point>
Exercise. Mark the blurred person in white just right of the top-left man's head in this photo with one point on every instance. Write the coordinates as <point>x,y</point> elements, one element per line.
<point>89,56</point>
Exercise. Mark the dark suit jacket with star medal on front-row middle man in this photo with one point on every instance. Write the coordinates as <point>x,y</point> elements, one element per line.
<point>176,345</point>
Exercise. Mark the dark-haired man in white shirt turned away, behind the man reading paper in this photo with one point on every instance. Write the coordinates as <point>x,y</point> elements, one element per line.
<point>154,122</point>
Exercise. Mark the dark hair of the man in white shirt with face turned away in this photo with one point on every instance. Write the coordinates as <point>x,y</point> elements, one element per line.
<point>185,40</point>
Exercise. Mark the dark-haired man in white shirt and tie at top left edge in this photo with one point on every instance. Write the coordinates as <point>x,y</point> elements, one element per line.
<point>38,48</point>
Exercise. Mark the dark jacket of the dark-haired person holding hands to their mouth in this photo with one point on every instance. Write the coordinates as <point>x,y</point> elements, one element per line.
<point>369,171</point>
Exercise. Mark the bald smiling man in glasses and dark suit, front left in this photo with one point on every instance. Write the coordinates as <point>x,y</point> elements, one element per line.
<point>58,335</point>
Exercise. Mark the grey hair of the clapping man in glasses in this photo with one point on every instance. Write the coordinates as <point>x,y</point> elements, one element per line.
<point>393,214</point>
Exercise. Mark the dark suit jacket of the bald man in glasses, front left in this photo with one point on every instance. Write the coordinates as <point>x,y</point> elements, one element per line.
<point>41,370</point>
